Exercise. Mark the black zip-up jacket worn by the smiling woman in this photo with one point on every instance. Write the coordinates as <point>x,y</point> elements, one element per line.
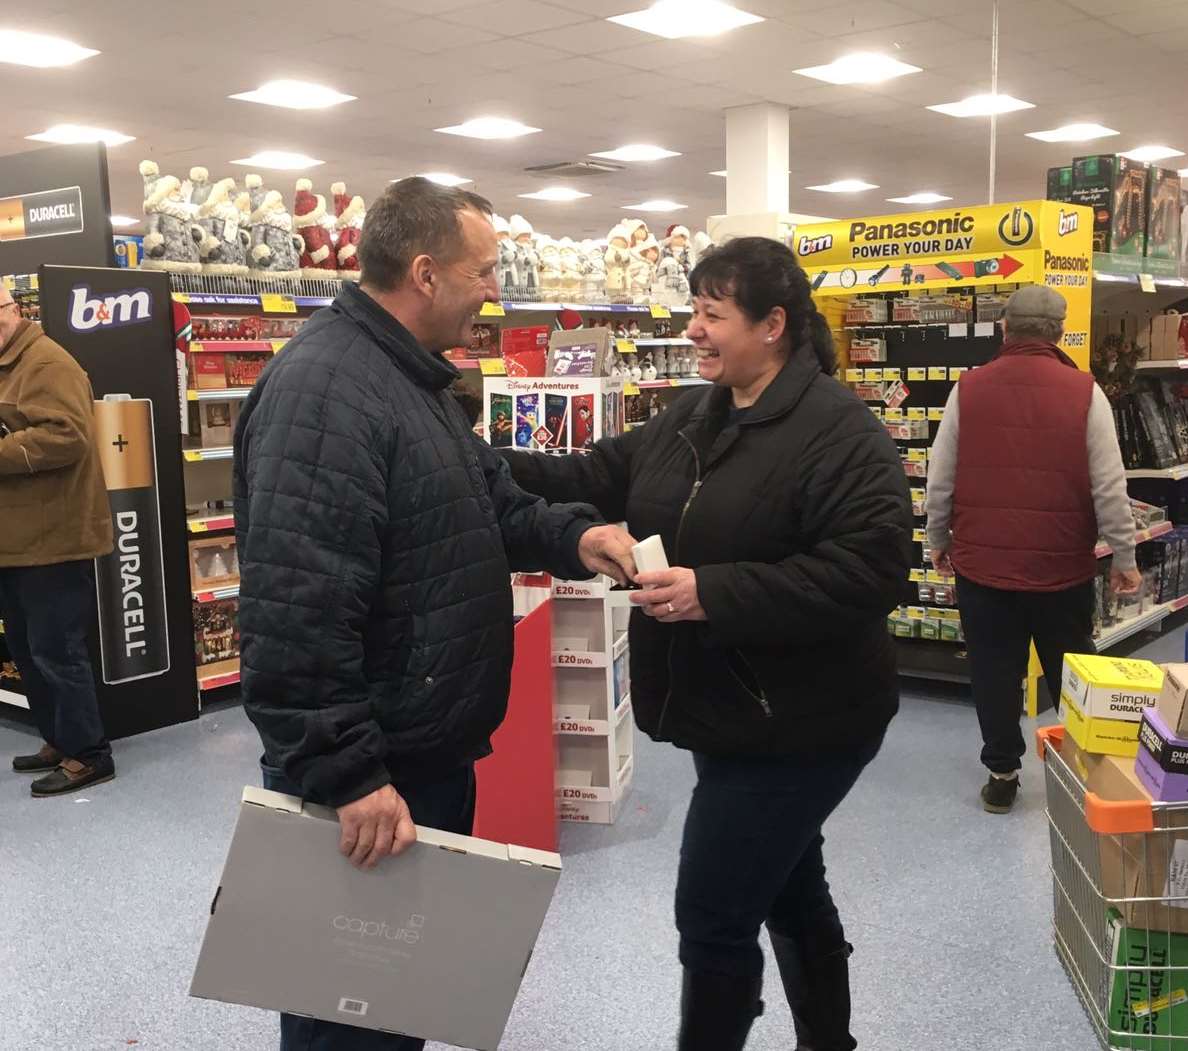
<point>798,522</point>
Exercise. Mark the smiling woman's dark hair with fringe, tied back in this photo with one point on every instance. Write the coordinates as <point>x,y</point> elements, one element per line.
<point>760,275</point>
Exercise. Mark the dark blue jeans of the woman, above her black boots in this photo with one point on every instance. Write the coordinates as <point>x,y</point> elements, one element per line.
<point>753,856</point>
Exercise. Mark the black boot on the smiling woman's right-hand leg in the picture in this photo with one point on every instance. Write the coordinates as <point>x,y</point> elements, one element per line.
<point>819,995</point>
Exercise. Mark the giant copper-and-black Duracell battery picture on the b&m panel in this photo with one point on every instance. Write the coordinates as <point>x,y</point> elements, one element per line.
<point>134,626</point>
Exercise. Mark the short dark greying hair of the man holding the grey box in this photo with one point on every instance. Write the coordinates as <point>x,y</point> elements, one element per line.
<point>413,218</point>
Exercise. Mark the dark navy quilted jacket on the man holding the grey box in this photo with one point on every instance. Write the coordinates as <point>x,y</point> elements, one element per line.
<point>377,536</point>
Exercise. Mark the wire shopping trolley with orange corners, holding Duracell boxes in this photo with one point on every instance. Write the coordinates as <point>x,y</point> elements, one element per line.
<point>1120,875</point>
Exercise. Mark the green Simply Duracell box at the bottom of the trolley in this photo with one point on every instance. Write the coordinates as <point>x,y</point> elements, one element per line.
<point>1148,997</point>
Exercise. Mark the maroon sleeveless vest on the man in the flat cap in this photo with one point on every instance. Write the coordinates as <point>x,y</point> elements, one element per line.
<point>1023,516</point>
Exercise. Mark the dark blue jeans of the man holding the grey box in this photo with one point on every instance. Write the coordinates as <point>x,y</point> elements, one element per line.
<point>445,803</point>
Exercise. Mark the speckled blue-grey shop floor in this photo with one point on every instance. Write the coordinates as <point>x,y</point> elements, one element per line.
<point>949,907</point>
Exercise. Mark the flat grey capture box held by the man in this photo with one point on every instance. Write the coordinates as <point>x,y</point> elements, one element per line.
<point>431,945</point>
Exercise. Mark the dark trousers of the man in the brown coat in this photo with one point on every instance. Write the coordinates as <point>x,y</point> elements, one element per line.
<point>48,611</point>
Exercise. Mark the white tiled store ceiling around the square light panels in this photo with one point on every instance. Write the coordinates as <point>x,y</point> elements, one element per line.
<point>166,73</point>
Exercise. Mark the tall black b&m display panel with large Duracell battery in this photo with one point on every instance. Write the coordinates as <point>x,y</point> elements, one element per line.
<point>118,326</point>
